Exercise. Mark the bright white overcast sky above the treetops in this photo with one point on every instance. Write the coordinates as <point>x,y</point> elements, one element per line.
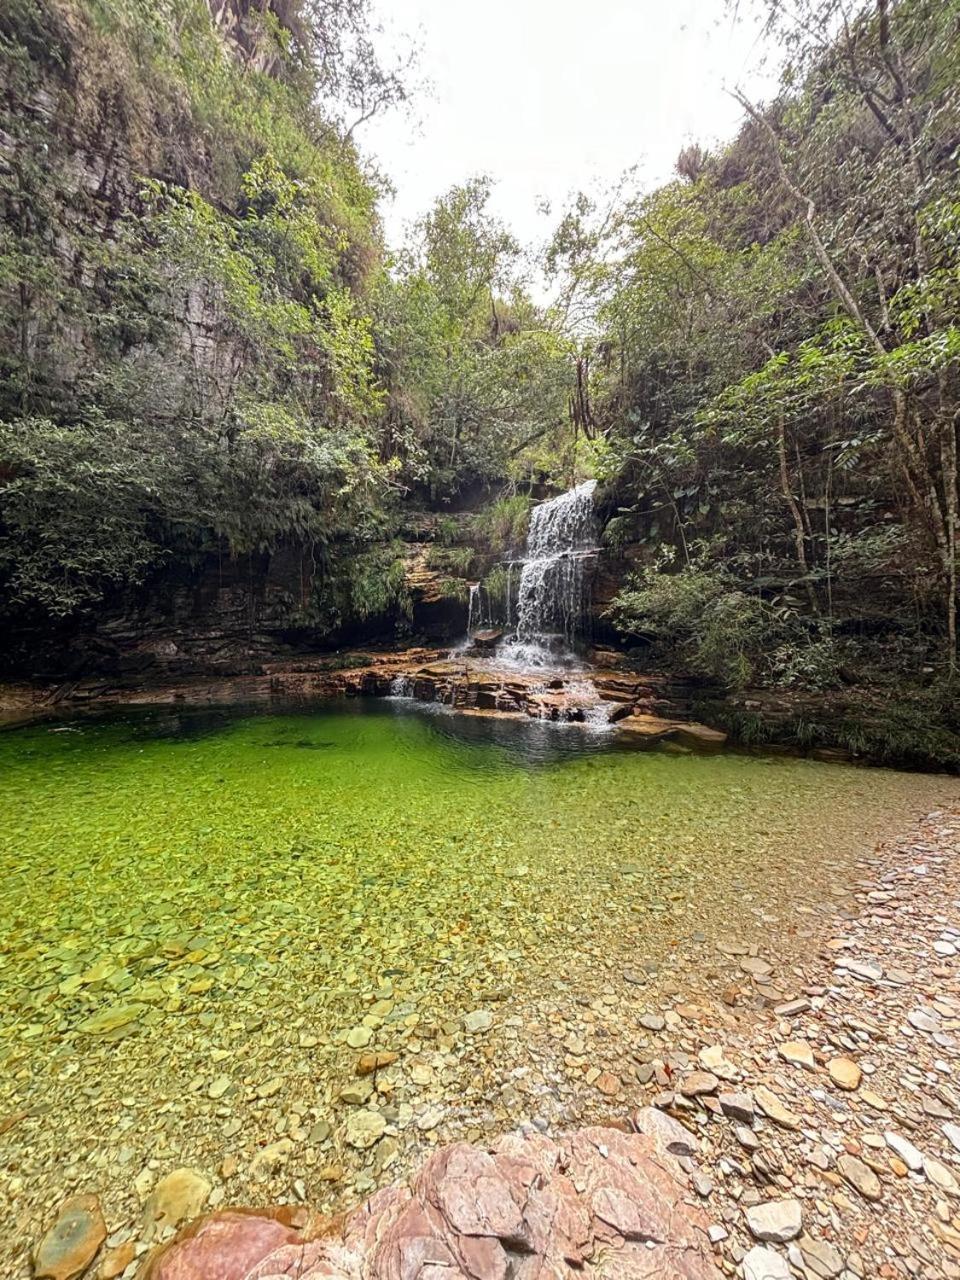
<point>552,97</point>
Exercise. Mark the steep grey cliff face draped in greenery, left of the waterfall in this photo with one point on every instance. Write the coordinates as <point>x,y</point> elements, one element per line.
<point>188,386</point>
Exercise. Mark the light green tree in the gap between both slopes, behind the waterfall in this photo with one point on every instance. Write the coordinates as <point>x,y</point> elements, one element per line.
<point>474,372</point>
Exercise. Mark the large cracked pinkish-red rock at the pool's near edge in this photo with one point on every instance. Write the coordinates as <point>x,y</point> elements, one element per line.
<point>529,1209</point>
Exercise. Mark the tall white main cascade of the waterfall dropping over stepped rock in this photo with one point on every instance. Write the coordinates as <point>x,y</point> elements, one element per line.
<point>551,595</point>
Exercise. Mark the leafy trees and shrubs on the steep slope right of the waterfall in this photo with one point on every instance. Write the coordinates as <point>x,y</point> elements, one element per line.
<point>772,342</point>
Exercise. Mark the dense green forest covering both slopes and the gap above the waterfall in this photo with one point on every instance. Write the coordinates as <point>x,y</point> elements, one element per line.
<point>211,356</point>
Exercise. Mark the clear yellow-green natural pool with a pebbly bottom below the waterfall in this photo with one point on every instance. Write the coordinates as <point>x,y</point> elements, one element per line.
<point>208,917</point>
